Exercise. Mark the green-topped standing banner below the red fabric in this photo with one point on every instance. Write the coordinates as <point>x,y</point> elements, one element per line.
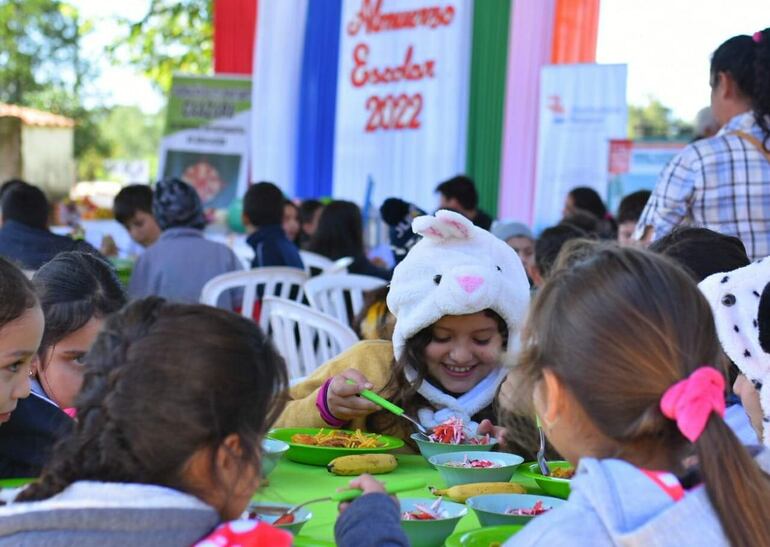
<point>207,134</point>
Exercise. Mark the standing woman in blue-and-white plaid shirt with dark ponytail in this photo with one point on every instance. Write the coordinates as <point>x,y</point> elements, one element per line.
<point>723,183</point>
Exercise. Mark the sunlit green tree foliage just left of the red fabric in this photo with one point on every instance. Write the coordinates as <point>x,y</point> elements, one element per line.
<point>174,36</point>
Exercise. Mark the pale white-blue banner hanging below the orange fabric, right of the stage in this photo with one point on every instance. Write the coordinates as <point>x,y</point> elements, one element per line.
<point>582,107</point>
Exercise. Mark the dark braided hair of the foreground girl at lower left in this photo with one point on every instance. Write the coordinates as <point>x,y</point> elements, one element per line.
<point>163,381</point>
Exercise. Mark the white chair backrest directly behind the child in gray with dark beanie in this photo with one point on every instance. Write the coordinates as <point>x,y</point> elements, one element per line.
<point>275,281</point>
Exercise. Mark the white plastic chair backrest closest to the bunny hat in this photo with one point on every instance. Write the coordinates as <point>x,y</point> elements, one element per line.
<point>341,295</point>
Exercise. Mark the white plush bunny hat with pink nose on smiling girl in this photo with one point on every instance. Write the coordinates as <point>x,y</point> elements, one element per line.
<point>456,269</point>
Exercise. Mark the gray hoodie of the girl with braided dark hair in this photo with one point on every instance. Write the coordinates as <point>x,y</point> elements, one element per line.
<point>98,513</point>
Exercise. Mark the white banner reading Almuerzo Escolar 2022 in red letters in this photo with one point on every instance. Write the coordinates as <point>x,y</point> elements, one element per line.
<point>402,97</point>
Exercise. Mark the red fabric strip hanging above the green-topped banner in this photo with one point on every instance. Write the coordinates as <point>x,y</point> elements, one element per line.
<point>235,25</point>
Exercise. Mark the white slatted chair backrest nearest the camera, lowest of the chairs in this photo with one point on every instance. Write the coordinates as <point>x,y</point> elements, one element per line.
<point>306,338</point>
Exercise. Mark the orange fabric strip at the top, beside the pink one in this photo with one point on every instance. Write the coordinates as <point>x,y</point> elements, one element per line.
<point>575,30</point>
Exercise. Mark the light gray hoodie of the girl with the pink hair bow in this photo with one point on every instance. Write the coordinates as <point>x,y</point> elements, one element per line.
<point>614,503</point>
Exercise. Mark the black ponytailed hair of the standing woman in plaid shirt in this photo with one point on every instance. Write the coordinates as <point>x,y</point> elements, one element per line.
<point>747,60</point>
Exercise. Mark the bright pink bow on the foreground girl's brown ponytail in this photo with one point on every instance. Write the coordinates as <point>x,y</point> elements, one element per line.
<point>691,401</point>
